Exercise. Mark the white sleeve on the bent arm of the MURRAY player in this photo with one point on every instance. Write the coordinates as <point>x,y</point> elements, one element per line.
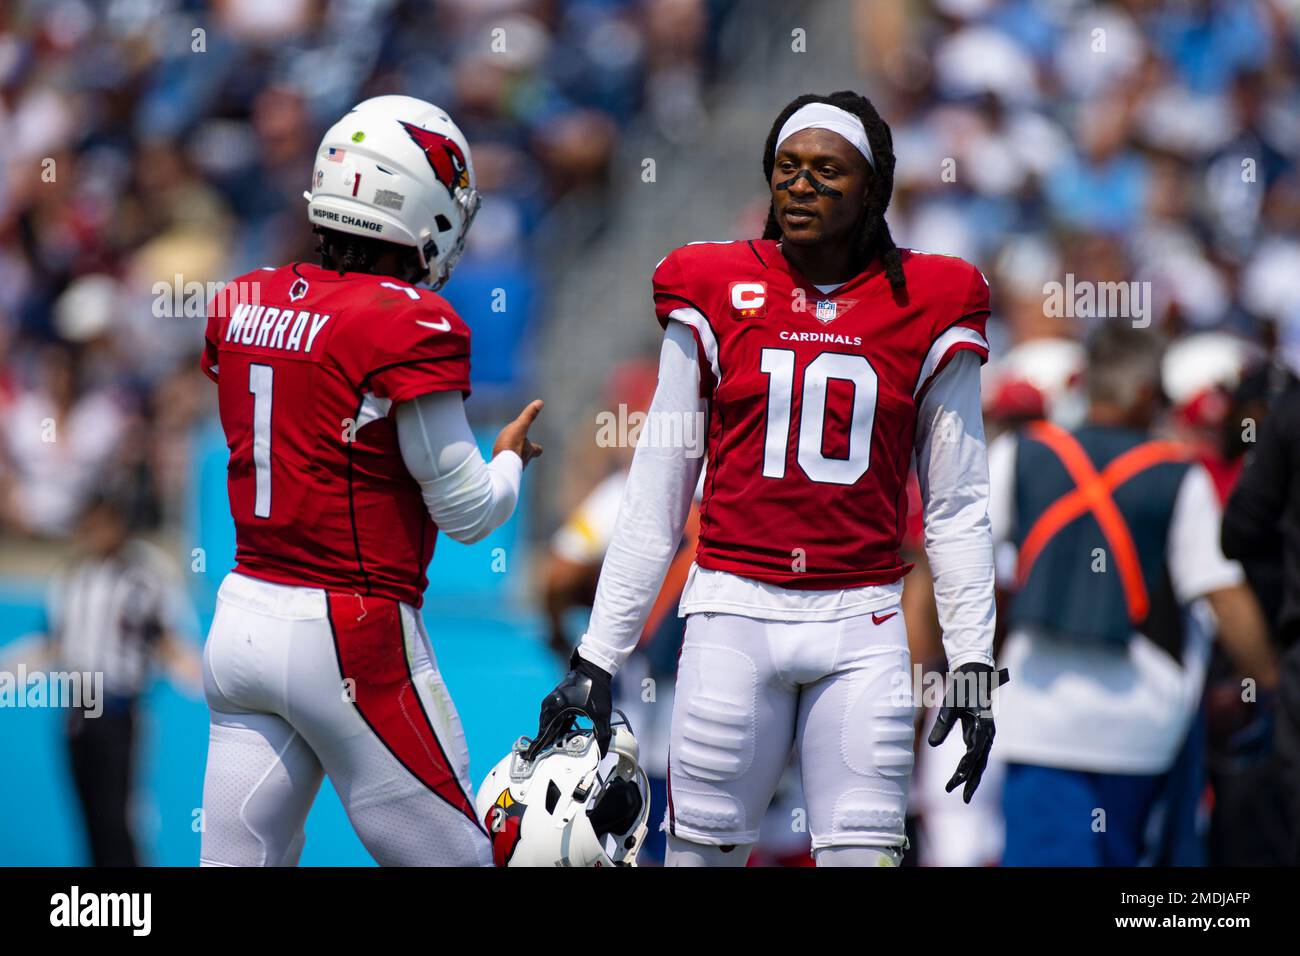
<point>467,499</point>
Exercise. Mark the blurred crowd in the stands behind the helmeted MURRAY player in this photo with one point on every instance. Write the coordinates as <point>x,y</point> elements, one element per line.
<point>170,142</point>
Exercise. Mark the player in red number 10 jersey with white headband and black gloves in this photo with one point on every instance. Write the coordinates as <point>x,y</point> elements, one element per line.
<point>824,358</point>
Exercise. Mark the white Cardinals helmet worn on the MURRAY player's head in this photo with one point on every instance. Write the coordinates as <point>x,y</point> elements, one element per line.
<point>398,170</point>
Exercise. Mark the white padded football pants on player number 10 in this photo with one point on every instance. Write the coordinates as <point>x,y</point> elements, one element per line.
<point>751,690</point>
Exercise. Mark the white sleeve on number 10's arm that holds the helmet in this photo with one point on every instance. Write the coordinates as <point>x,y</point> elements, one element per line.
<point>653,513</point>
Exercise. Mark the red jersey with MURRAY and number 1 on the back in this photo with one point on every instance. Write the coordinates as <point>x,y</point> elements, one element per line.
<point>309,366</point>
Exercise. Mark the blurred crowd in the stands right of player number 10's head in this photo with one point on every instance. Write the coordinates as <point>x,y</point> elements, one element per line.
<point>1117,142</point>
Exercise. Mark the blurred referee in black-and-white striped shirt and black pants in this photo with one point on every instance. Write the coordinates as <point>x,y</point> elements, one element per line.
<point>118,609</point>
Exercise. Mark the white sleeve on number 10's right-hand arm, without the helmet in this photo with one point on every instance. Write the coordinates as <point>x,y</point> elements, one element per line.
<point>952,468</point>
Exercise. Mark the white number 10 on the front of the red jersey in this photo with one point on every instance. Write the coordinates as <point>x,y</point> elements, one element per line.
<point>778,365</point>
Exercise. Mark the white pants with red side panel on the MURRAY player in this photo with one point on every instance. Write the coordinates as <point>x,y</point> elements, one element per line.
<point>302,684</point>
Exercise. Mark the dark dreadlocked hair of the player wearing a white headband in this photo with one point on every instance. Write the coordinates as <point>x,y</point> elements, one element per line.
<point>873,240</point>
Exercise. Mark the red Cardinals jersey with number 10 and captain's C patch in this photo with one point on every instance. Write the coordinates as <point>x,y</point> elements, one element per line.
<point>813,404</point>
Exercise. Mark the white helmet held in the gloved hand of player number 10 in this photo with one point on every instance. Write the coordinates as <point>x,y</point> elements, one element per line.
<point>569,807</point>
